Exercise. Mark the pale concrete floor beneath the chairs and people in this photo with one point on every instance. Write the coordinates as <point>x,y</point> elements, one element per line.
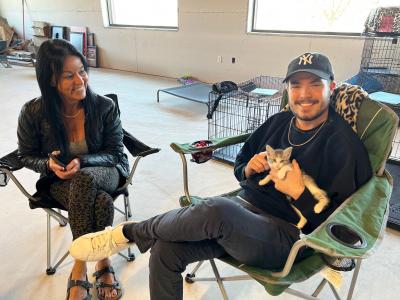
<point>158,185</point>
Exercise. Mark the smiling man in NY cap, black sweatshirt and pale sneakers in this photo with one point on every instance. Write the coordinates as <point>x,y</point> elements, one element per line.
<point>255,228</point>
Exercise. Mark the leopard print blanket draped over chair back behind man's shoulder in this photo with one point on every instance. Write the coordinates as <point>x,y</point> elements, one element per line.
<point>346,99</point>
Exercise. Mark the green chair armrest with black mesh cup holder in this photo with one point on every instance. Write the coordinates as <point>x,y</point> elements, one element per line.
<point>364,213</point>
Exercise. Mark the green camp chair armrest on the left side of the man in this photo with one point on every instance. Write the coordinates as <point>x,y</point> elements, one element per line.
<point>187,148</point>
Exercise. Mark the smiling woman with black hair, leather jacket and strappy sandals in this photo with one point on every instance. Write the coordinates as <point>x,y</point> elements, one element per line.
<point>83,131</point>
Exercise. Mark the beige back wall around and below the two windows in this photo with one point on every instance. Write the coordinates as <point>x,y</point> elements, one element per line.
<point>207,29</point>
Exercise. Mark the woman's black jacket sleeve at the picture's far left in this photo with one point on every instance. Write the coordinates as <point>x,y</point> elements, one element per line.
<point>29,148</point>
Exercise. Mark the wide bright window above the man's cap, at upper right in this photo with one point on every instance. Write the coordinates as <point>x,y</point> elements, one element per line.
<point>341,17</point>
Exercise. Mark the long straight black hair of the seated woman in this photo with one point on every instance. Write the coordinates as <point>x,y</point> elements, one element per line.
<point>49,67</point>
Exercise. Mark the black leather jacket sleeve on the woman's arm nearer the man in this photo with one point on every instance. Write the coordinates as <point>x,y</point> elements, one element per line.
<point>112,148</point>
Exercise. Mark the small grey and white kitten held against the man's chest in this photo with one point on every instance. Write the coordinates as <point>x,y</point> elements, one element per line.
<point>278,159</point>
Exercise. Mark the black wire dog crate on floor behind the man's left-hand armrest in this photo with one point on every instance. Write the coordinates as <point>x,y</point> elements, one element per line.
<point>244,110</point>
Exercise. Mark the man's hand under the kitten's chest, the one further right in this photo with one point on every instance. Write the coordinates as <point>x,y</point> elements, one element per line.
<point>293,184</point>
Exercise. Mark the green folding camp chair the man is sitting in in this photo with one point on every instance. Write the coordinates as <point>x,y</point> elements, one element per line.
<point>349,235</point>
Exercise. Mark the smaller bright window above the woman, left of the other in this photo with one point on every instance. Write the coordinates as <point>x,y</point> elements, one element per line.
<point>143,13</point>
